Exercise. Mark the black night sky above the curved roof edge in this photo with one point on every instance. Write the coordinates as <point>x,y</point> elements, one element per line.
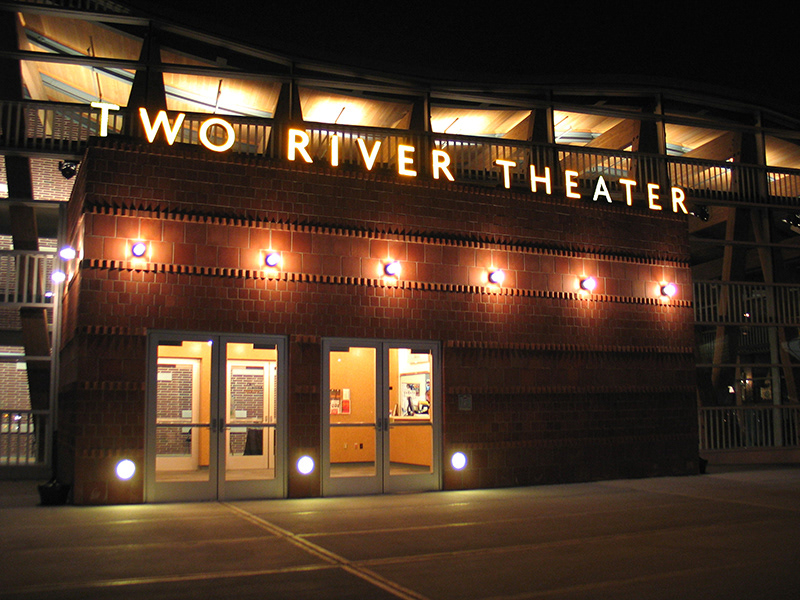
<point>710,46</point>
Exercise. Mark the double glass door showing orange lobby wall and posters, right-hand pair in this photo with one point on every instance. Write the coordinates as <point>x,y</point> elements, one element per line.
<point>381,414</point>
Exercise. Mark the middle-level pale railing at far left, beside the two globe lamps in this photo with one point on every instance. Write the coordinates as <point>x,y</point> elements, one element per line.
<point>25,277</point>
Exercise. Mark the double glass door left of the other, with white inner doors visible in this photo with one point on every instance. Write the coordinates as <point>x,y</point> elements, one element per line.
<point>215,417</point>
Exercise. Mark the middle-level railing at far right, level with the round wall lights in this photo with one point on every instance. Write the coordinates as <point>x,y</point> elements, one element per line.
<point>746,303</point>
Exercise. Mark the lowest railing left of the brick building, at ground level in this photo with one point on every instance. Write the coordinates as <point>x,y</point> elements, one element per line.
<point>23,437</point>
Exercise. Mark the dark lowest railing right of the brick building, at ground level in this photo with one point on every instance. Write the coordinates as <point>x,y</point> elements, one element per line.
<point>730,428</point>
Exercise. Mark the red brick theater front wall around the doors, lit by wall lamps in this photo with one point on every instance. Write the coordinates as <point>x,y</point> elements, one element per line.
<point>565,387</point>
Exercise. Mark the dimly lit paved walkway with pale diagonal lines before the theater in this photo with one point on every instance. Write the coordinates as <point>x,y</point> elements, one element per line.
<point>732,534</point>
